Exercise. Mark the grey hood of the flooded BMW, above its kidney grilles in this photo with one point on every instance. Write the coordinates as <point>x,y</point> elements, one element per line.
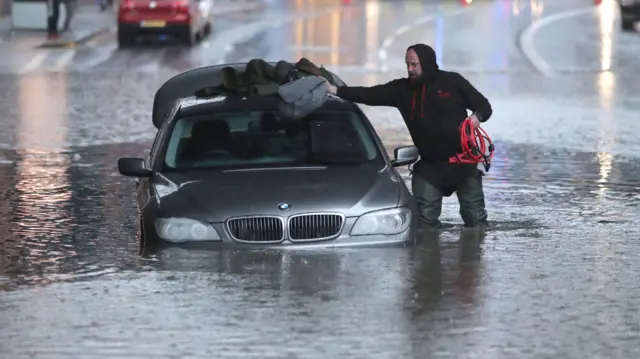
<point>217,195</point>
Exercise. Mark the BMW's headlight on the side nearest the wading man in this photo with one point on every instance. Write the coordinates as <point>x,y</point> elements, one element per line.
<point>388,221</point>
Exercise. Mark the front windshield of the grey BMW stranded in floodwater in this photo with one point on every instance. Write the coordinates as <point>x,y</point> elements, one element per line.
<point>260,139</point>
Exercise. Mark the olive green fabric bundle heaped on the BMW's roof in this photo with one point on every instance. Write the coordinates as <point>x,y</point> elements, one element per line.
<point>261,78</point>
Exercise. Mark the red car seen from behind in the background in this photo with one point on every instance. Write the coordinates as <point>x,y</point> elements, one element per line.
<point>185,20</point>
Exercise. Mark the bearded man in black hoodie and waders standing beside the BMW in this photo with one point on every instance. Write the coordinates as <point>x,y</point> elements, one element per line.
<point>433,104</point>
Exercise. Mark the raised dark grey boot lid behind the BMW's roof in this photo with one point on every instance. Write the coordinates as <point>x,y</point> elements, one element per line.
<point>184,85</point>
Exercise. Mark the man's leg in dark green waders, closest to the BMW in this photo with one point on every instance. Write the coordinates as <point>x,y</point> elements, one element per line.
<point>429,202</point>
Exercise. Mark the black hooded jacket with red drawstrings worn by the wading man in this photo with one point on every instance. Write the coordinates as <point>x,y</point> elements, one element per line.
<point>433,110</point>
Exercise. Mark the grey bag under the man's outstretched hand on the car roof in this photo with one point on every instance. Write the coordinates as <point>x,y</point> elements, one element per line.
<point>301,97</point>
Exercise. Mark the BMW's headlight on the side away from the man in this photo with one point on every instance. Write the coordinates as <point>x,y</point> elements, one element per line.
<point>180,230</point>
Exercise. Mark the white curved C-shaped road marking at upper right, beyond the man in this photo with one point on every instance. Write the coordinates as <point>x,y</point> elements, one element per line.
<point>528,35</point>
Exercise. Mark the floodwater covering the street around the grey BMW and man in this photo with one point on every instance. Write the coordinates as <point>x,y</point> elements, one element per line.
<point>554,277</point>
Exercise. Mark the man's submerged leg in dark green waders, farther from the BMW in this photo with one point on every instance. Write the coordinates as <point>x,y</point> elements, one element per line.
<point>471,198</point>
